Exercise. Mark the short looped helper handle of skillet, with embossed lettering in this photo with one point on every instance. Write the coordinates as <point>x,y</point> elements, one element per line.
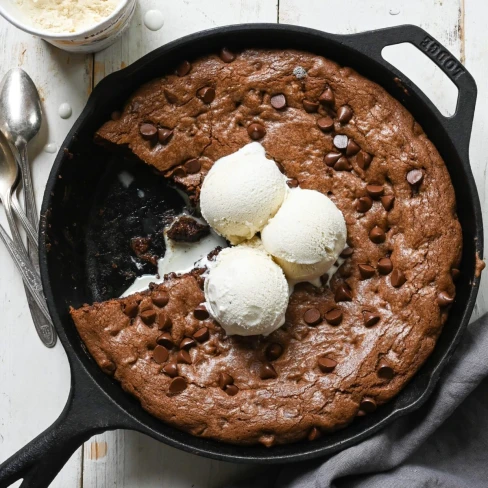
<point>372,43</point>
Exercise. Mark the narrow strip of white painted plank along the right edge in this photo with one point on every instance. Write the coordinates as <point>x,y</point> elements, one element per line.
<point>476,60</point>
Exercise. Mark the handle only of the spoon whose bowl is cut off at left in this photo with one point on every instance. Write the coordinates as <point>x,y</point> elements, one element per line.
<point>45,328</point>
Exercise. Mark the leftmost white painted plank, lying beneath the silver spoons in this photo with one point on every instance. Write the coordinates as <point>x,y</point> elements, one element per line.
<point>34,381</point>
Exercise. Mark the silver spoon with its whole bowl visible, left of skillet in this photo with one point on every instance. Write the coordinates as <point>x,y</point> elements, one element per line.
<point>20,121</point>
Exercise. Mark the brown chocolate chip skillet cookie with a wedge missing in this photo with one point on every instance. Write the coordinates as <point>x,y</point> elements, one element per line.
<point>345,348</point>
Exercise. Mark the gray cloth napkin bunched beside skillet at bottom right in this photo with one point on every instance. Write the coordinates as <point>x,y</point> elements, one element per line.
<point>443,444</point>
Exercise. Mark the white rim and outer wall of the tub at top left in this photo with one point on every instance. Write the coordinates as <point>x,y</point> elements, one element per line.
<point>93,39</point>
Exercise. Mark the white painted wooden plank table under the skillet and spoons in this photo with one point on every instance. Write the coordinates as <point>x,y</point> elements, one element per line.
<point>34,381</point>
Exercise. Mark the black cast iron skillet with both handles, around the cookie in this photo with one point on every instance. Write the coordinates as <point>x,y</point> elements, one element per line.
<point>97,403</point>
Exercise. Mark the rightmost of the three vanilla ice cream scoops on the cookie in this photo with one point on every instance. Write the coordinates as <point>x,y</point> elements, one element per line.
<point>306,235</point>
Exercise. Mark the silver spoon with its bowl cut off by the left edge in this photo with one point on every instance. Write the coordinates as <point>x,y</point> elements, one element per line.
<point>9,173</point>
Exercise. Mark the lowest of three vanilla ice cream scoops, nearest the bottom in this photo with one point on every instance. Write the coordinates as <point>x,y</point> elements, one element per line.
<point>246,292</point>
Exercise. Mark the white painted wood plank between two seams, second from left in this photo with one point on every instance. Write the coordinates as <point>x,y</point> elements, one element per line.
<point>131,459</point>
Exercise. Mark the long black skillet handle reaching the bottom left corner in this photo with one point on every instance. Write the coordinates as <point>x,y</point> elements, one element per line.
<point>88,411</point>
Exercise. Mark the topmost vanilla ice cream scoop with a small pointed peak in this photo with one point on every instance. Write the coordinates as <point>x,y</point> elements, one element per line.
<point>241,192</point>
